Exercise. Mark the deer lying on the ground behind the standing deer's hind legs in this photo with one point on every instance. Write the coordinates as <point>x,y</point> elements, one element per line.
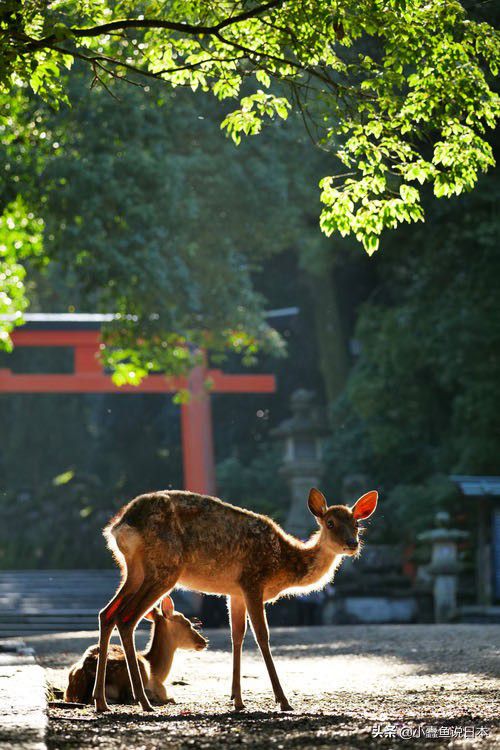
<point>170,631</point>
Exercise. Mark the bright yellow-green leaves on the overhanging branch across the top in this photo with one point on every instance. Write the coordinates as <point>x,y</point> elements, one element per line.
<point>398,91</point>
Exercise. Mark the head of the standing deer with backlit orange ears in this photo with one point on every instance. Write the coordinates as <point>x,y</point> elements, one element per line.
<point>339,524</point>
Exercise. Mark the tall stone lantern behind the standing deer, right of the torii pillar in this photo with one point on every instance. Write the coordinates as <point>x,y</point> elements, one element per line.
<point>302,464</point>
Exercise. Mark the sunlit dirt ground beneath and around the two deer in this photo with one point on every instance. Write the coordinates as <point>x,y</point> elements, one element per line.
<point>351,687</point>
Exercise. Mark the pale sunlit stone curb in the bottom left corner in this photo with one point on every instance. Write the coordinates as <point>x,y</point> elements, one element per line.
<point>23,705</point>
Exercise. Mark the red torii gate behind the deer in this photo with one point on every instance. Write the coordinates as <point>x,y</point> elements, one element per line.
<point>81,333</point>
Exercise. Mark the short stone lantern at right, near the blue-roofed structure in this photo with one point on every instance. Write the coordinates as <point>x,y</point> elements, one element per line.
<point>444,566</point>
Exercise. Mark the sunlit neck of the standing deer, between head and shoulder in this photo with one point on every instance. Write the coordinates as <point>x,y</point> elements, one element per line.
<point>310,565</point>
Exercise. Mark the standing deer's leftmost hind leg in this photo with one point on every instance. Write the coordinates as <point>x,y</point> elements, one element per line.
<point>107,621</point>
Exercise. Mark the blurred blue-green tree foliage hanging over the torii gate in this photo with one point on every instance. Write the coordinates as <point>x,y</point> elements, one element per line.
<point>145,219</point>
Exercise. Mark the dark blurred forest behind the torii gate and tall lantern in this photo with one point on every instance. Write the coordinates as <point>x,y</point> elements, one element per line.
<point>402,349</point>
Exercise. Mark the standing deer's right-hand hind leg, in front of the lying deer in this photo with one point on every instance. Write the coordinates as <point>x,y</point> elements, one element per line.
<point>135,609</point>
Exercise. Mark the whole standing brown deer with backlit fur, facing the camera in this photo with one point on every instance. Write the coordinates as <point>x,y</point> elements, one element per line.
<point>201,543</point>
